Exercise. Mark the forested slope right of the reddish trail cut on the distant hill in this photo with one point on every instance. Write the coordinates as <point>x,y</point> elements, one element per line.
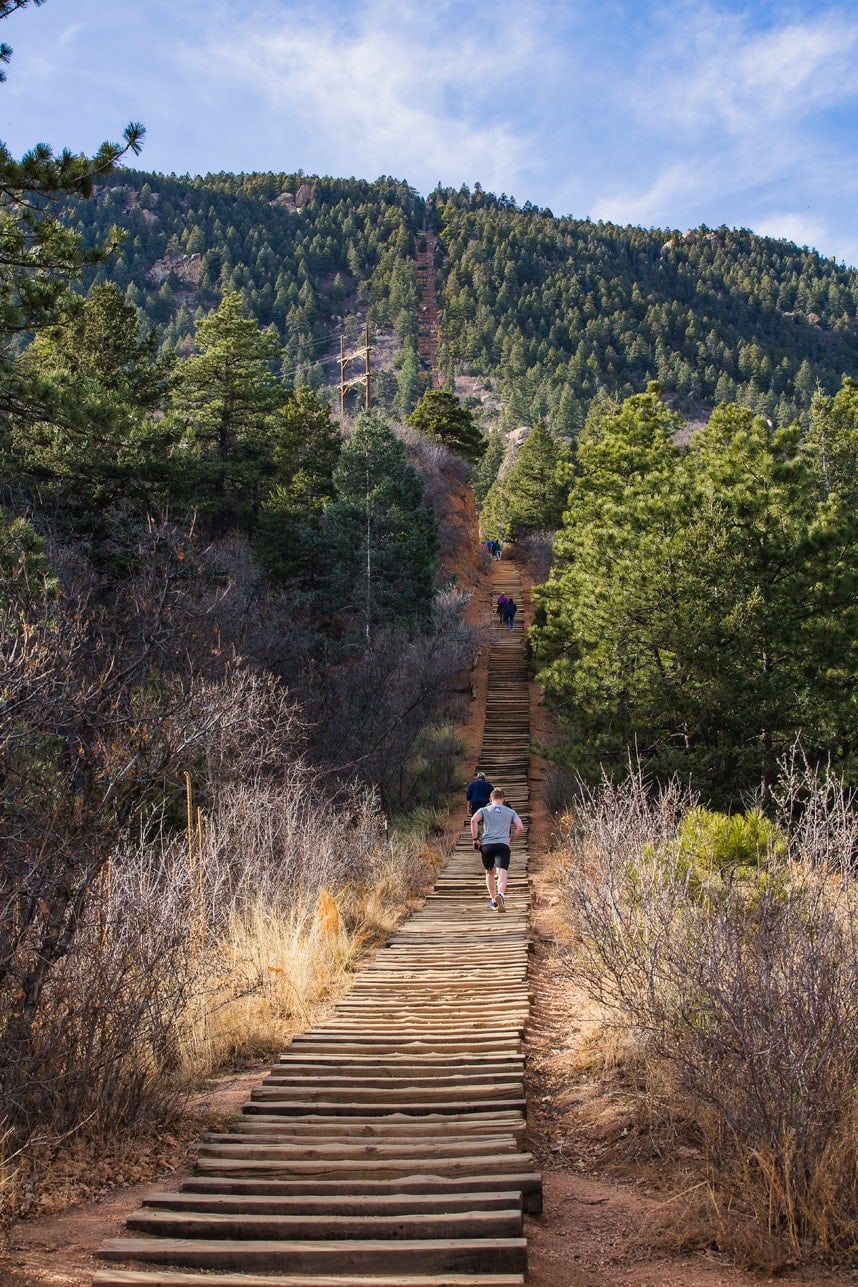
<point>564,310</point>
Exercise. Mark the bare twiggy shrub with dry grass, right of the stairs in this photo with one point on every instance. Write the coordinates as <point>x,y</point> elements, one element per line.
<point>743,990</point>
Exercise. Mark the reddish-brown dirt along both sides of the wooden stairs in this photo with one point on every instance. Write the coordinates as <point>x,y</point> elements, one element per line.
<point>603,1196</point>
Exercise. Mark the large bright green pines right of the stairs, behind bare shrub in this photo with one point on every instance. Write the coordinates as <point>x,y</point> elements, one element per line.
<point>704,602</point>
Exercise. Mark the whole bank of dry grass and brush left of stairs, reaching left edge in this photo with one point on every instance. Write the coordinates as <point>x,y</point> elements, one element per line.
<point>205,949</point>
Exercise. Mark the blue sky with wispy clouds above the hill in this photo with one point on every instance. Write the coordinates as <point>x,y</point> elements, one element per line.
<point>632,111</point>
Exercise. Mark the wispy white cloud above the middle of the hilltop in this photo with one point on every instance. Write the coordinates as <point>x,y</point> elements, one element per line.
<point>393,89</point>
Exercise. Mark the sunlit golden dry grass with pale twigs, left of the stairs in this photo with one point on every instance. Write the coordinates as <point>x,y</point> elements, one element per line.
<point>278,895</point>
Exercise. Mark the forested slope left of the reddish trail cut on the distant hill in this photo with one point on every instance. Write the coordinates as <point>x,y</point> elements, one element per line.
<point>304,271</point>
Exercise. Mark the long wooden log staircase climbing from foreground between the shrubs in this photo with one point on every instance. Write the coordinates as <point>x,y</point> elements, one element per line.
<point>388,1146</point>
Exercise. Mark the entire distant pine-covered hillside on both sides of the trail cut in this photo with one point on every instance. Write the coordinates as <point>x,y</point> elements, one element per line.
<point>551,311</point>
